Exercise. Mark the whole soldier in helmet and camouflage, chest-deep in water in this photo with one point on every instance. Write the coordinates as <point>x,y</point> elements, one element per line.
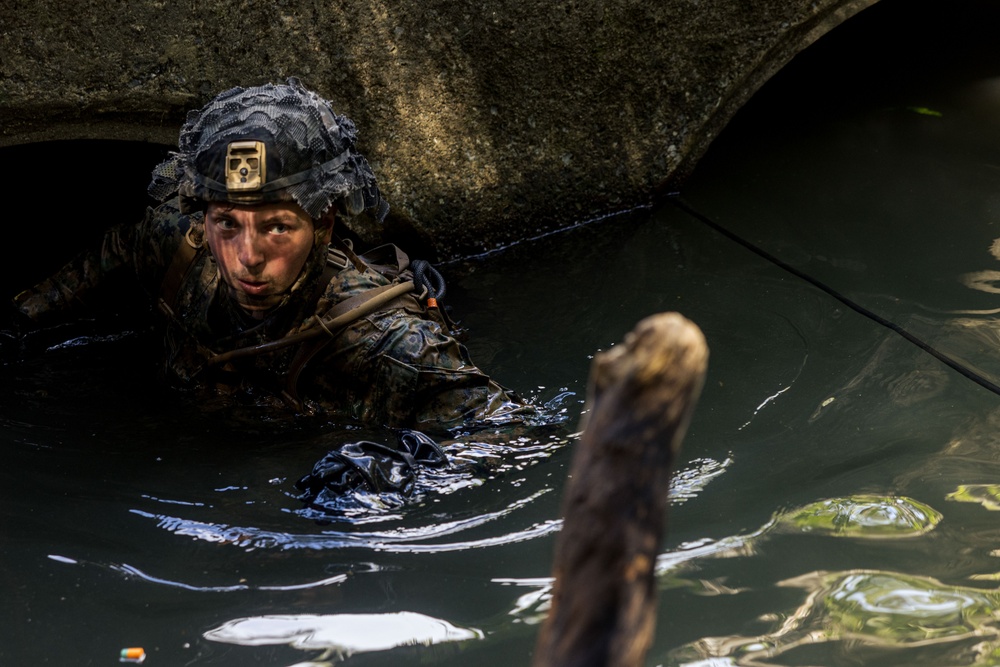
<point>260,298</point>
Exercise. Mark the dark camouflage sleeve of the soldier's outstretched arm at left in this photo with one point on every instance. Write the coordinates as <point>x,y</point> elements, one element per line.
<point>126,251</point>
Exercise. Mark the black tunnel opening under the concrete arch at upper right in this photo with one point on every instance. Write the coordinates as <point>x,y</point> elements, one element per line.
<point>894,52</point>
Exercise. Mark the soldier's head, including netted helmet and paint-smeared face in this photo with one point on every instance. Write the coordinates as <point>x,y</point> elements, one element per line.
<point>271,166</point>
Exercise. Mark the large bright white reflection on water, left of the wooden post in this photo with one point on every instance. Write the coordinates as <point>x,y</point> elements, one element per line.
<point>340,635</point>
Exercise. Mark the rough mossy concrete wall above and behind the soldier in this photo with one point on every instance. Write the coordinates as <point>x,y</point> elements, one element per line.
<point>485,121</point>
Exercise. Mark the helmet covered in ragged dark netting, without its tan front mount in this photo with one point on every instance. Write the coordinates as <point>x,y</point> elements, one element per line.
<point>310,154</point>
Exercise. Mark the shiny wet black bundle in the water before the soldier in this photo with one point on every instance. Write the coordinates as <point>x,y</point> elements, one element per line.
<point>369,466</point>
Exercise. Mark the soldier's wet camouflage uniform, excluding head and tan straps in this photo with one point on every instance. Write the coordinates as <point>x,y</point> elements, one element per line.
<point>396,366</point>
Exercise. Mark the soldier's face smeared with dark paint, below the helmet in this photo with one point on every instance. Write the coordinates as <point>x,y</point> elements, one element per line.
<point>260,250</point>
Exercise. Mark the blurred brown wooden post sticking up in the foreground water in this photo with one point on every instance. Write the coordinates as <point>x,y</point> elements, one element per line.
<point>640,400</point>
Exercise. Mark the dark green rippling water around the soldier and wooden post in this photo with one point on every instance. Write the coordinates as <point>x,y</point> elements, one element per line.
<point>833,504</point>
